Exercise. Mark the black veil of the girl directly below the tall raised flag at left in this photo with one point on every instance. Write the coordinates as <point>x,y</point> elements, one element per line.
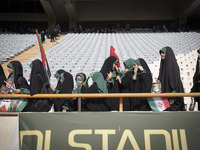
<point>38,77</point>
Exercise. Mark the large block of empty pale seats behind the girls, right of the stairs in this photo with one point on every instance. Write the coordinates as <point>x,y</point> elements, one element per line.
<point>86,52</point>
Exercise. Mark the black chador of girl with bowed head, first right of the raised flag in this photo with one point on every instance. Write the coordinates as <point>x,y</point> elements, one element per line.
<point>65,85</point>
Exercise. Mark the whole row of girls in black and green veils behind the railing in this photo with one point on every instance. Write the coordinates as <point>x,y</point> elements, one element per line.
<point>135,78</point>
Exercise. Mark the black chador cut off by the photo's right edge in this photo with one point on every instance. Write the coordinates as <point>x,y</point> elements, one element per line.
<point>196,80</point>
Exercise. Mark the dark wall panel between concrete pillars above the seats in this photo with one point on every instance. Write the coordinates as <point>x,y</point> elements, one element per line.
<point>126,10</point>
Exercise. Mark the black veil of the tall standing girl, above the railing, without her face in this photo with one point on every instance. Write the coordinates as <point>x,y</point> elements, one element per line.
<point>169,74</point>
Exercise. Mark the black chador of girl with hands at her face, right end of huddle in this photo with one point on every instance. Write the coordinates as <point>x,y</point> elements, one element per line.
<point>142,83</point>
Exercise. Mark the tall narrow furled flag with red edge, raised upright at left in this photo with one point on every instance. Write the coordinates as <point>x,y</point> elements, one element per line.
<point>43,55</point>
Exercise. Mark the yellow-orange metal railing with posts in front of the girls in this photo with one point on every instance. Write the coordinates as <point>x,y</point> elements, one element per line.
<point>102,95</point>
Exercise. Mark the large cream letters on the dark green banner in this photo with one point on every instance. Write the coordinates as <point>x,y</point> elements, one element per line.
<point>126,135</point>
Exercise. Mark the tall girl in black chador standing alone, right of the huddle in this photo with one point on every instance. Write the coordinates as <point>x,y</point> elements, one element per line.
<point>169,76</point>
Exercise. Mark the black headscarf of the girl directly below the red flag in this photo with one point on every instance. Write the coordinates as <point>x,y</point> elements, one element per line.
<point>107,66</point>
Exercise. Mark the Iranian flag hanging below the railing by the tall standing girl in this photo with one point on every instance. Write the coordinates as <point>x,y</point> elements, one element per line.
<point>158,104</point>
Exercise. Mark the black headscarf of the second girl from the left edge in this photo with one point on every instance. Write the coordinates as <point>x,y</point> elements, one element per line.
<point>17,71</point>
